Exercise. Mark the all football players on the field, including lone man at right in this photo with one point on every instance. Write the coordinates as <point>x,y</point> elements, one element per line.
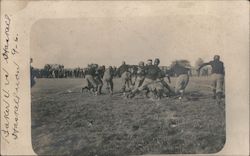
<point>150,78</point>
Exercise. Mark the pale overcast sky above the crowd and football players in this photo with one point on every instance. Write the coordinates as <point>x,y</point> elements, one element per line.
<point>110,40</point>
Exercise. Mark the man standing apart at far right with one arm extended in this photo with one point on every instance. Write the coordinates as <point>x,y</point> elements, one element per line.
<point>218,73</point>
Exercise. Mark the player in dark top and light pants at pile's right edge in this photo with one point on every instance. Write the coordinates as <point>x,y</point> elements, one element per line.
<point>182,77</point>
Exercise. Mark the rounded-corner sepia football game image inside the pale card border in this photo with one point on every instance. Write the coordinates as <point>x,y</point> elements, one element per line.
<point>127,86</point>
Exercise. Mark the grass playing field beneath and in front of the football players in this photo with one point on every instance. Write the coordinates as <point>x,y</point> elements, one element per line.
<point>65,121</point>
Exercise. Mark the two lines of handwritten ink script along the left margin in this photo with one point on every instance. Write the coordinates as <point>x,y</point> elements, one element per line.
<point>11,75</point>
